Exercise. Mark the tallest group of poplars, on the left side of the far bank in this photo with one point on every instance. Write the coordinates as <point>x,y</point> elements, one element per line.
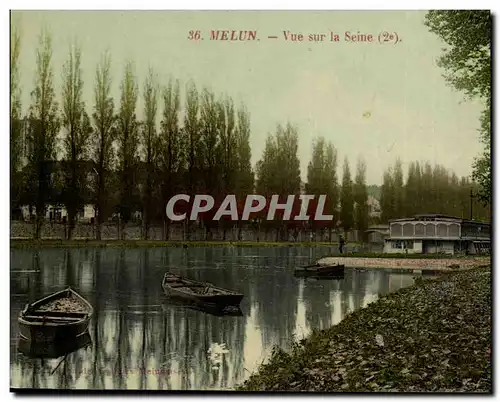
<point>111,159</point>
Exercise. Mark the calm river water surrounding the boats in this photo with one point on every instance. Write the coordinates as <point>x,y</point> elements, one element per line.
<point>141,341</point>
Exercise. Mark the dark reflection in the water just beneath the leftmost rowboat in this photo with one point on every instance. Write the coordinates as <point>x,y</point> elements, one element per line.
<point>53,350</point>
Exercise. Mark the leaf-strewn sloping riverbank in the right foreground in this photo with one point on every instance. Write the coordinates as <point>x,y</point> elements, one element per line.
<point>432,337</point>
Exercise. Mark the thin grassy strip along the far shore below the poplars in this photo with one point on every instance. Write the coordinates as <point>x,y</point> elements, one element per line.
<point>21,243</point>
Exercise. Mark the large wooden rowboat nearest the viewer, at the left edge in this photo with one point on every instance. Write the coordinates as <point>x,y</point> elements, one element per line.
<point>59,316</point>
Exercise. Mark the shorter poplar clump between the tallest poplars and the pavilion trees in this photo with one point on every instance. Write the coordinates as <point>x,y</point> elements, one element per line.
<point>345,203</point>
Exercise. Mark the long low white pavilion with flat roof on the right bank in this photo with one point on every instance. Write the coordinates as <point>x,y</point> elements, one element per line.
<point>433,233</point>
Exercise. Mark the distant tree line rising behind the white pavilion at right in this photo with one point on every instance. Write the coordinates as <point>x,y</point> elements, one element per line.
<point>429,189</point>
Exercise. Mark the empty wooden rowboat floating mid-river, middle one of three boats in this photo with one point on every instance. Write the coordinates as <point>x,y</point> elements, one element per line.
<point>200,292</point>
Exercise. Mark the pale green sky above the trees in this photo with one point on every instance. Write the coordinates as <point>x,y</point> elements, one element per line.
<point>323,88</point>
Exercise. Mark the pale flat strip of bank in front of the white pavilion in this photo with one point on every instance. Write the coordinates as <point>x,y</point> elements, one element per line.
<point>429,262</point>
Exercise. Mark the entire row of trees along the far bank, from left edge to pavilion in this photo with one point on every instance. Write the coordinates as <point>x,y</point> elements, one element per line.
<point>120,164</point>
